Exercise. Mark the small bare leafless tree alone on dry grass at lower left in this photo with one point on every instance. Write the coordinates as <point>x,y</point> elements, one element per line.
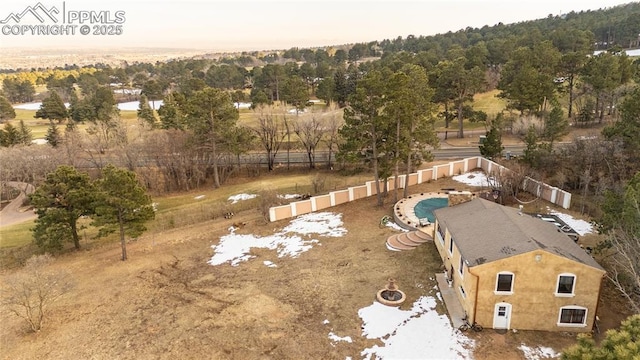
<point>29,292</point>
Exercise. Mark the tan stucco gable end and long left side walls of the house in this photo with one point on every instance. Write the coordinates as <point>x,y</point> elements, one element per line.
<point>533,301</point>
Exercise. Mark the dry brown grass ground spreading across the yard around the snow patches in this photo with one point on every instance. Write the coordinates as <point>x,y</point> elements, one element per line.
<point>166,302</point>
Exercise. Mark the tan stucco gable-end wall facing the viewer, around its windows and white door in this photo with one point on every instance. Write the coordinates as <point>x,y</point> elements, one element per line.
<point>534,303</point>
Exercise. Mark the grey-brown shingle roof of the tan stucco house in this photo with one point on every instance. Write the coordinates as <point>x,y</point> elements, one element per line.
<point>484,231</point>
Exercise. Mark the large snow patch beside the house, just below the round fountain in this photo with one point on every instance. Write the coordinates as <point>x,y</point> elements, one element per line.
<point>419,333</point>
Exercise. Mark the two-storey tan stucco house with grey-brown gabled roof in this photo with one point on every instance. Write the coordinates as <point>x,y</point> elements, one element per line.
<point>513,271</point>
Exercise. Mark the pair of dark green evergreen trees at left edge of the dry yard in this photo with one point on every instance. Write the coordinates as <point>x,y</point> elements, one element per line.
<point>116,202</point>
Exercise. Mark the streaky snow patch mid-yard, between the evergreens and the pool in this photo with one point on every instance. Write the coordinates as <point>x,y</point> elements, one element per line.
<point>234,248</point>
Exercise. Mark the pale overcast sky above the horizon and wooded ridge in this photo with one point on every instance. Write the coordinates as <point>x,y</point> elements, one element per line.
<point>257,25</point>
